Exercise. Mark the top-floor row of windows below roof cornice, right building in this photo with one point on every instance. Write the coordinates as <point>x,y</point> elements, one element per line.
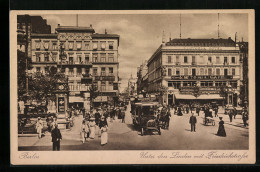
<point>194,60</point>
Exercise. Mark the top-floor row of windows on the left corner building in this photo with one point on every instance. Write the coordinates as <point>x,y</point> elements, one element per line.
<point>71,45</point>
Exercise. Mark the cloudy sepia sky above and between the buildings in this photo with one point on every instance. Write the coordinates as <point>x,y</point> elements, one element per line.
<point>141,34</point>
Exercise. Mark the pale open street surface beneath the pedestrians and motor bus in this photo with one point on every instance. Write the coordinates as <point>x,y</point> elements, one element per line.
<point>124,136</point>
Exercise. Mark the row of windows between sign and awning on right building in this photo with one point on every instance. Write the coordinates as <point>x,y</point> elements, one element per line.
<point>179,84</point>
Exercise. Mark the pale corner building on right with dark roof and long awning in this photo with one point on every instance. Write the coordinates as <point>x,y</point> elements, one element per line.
<point>195,69</point>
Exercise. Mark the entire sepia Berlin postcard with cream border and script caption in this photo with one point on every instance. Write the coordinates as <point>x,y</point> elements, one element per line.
<point>132,87</point>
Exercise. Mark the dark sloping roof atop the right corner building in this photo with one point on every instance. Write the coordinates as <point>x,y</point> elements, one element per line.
<point>201,42</point>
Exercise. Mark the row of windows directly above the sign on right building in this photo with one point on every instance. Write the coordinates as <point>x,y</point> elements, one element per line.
<point>202,71</point>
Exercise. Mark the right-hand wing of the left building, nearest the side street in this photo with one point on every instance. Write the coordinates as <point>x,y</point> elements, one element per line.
<point>105,67</point>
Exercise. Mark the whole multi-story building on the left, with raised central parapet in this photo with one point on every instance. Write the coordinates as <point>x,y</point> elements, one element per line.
<point>87,58</point>
